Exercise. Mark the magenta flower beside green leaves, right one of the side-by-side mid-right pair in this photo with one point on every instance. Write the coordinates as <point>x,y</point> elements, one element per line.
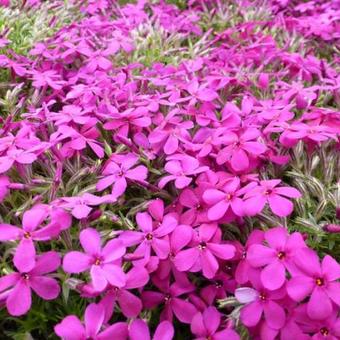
<point>268,191</point>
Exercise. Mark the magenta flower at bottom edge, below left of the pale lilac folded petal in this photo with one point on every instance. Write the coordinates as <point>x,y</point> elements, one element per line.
<point>205,326</point>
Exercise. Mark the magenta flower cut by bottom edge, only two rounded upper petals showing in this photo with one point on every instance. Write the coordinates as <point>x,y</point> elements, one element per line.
<point>140,331</point>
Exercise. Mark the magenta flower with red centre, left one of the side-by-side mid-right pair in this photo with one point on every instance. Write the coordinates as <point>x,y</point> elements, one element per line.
<point>224,200</point>
